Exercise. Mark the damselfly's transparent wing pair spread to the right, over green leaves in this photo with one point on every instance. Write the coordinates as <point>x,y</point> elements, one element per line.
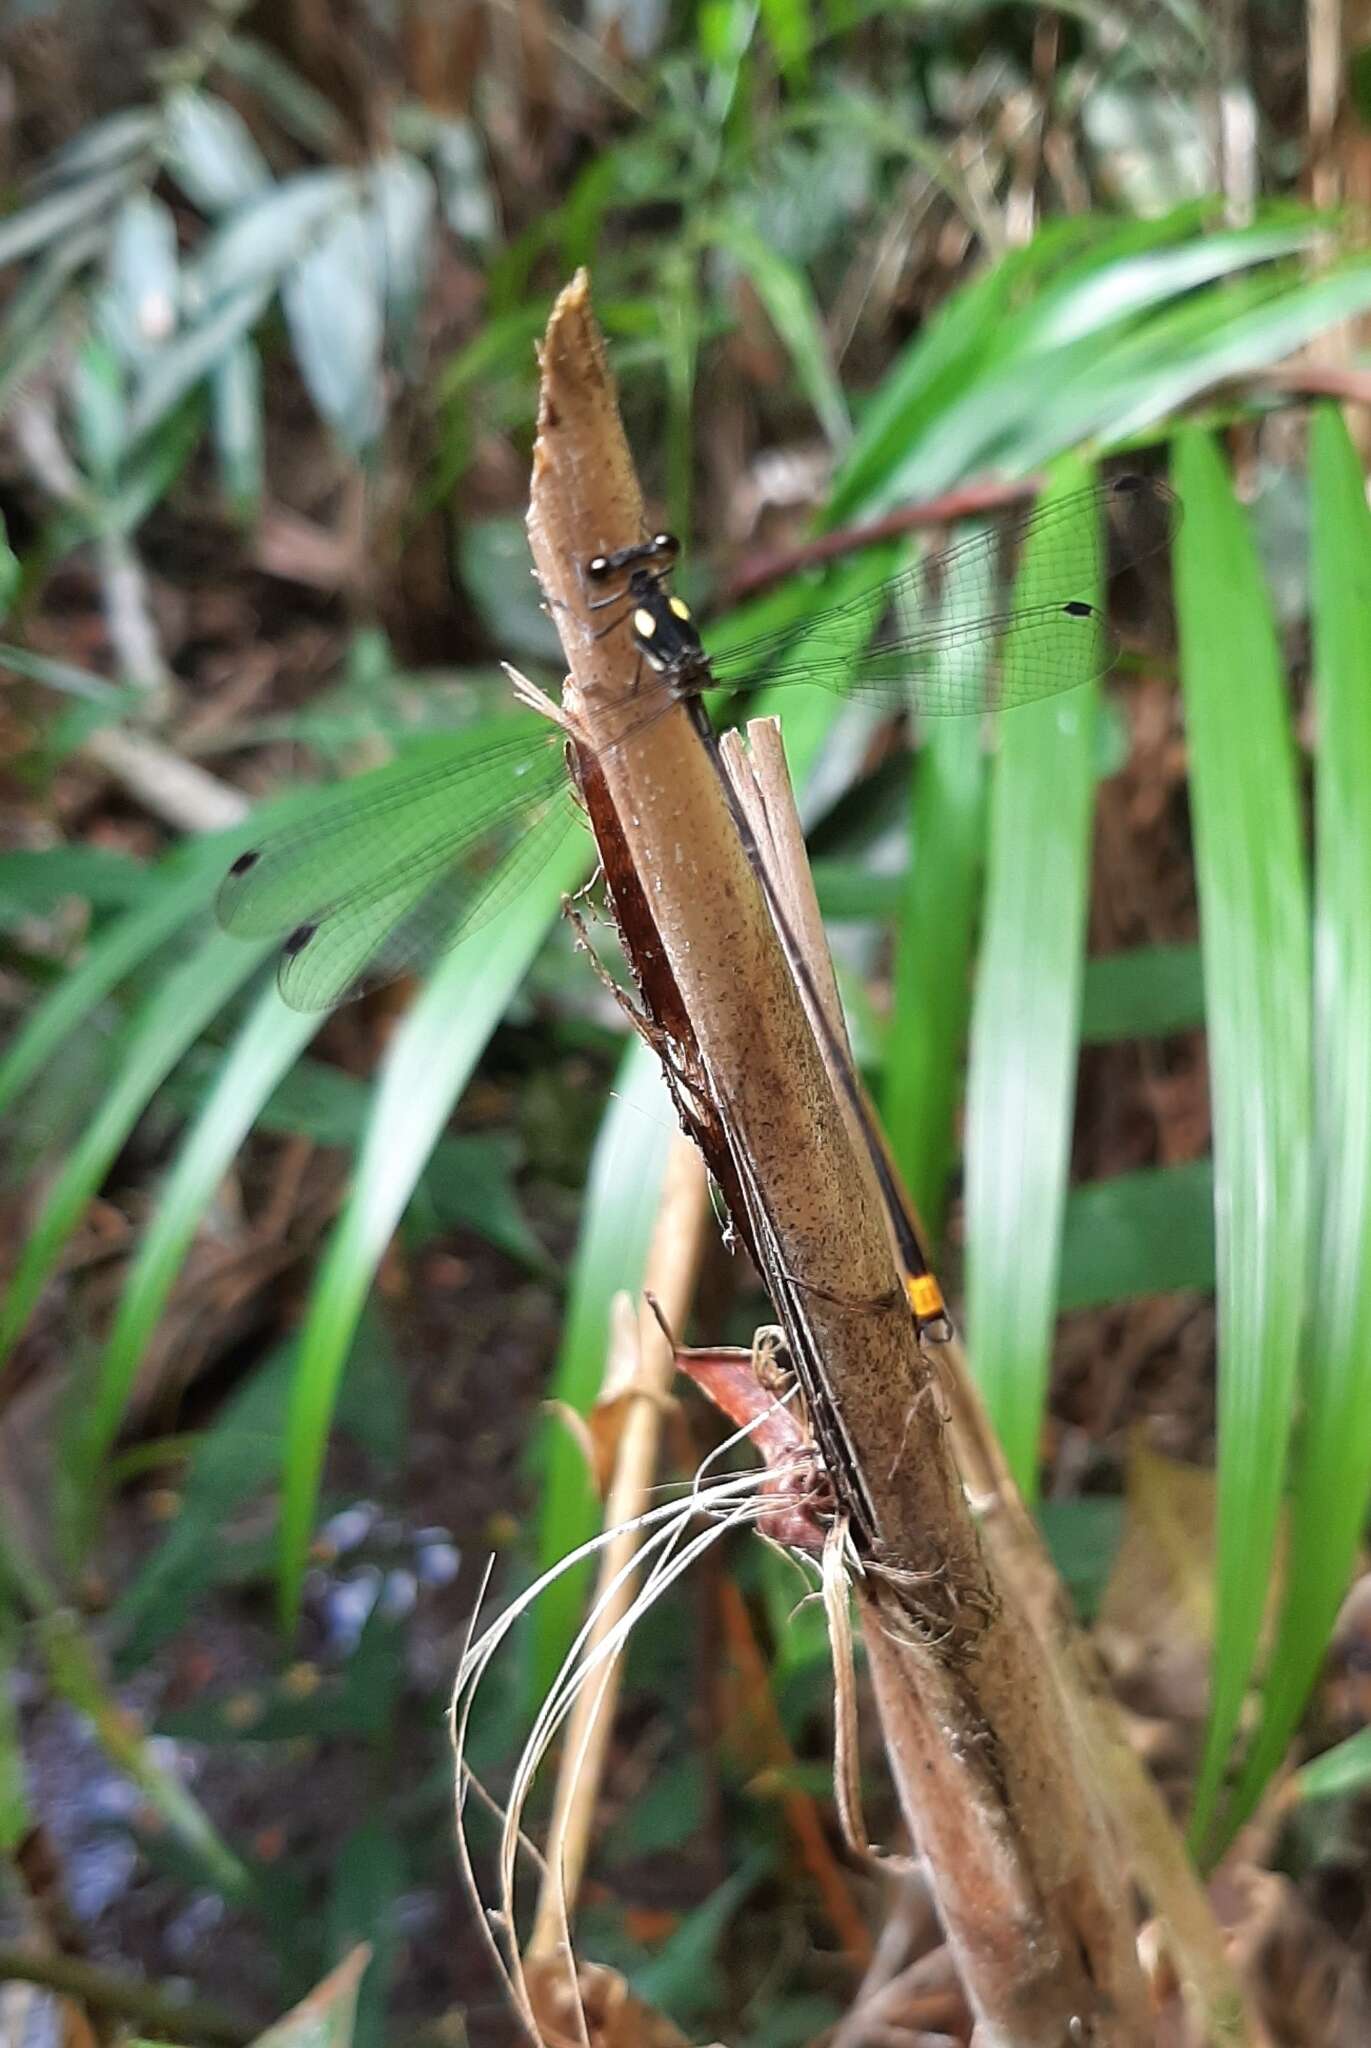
<point>997,620</point>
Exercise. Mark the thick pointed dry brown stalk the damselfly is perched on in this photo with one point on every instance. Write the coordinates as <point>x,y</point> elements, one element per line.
<point>977,1732</point>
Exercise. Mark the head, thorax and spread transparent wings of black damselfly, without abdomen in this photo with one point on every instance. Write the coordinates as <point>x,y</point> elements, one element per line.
<point>411,859</point>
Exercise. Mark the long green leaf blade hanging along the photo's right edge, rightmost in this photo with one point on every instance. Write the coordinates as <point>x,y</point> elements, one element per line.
<point>1333,1463</point>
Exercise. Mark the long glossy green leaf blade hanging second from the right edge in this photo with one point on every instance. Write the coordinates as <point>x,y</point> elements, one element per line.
<point>1255,943</point>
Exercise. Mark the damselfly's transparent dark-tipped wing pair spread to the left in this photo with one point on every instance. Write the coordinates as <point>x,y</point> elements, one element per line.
<point>399,863</point>
